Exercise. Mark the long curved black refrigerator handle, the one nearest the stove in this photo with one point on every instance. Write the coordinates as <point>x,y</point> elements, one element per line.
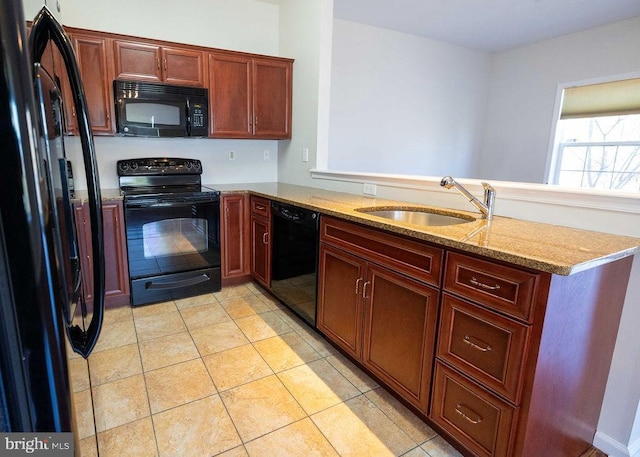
<point>46,28</point>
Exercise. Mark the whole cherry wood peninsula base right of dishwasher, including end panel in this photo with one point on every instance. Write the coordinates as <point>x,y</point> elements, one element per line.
<point>522,356</point>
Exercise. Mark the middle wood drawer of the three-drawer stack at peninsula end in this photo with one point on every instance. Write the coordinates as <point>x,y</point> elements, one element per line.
<point>485,345</point>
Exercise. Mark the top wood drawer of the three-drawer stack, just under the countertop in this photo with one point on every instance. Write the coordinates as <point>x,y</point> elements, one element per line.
<point>505,289</point>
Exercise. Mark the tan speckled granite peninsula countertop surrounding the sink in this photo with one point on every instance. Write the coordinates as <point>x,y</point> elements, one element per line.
<point>544,247</point>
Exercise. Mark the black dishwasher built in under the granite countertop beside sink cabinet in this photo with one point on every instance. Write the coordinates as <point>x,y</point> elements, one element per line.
<point>294,258</point>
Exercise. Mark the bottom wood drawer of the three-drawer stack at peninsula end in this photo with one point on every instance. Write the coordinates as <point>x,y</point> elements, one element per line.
<point>478,420</point>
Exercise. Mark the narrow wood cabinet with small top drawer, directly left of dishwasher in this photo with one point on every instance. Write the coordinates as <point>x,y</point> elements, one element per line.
<point>260,242</point>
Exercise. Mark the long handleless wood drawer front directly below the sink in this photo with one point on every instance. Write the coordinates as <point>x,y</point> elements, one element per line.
<point>412,258</point>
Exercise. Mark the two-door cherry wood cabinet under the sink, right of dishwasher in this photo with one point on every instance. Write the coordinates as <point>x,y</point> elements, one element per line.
<point>383,319</point>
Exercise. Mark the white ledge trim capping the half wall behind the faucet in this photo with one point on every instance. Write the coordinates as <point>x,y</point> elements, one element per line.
<point>539,193</point>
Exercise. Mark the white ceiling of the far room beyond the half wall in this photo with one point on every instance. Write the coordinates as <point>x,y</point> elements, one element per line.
<point>487,25</point>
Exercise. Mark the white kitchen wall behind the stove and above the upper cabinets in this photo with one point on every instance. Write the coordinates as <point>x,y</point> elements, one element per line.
<point>242,25</point>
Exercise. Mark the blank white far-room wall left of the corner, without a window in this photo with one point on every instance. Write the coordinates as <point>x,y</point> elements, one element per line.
<point>405,104</point>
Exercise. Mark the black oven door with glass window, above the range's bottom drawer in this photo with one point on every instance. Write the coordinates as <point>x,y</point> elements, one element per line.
<point>173,238</point>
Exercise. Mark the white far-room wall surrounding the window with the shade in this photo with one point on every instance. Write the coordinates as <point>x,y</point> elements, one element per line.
<point>523,94</point>
